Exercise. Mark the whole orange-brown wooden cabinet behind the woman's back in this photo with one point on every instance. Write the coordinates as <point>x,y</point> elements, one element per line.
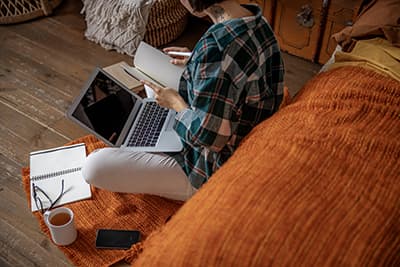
<point>304,27</point>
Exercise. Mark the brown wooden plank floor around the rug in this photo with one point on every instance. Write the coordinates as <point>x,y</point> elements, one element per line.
<point>43,64</point>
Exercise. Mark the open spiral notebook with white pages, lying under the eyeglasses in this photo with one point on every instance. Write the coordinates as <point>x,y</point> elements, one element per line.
<point>49,167</point>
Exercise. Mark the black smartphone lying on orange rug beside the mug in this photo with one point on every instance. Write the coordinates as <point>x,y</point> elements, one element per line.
<point>116,239</point>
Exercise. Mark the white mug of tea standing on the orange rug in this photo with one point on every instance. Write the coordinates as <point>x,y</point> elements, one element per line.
<point>61,225</point>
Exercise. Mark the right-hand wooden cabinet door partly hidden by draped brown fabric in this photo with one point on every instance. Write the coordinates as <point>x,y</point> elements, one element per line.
<point>341,13</point>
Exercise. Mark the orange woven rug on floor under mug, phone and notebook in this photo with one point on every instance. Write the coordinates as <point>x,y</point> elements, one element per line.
<point>108,210</point>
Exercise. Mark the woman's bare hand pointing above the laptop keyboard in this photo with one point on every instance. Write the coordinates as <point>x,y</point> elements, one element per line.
<point>167,97</point>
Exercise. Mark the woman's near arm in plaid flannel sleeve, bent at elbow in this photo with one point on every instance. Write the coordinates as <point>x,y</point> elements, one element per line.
<point>211,118</point>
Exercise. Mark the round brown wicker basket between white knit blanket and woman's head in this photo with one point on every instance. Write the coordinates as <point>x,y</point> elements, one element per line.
<point>167,20</point>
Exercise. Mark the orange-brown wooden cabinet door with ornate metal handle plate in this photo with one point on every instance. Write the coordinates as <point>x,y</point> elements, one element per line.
<point>297,26</point>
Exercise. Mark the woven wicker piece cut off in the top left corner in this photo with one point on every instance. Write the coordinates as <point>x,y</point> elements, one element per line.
<point>14,11</point>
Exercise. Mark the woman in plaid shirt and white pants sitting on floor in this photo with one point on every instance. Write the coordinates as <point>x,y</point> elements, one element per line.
<point>232,81</point>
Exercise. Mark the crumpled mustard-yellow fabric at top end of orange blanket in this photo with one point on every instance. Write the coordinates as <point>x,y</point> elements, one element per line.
<point>378,54</point>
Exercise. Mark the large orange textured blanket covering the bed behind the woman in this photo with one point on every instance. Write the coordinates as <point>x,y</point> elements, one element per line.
<point>317,184</point>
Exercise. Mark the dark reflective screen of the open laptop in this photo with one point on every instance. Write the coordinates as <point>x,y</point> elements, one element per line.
<point>105,107</point>
